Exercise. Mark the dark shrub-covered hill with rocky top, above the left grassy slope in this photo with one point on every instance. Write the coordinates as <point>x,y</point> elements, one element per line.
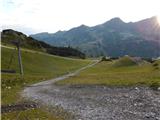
<point>10,36</point>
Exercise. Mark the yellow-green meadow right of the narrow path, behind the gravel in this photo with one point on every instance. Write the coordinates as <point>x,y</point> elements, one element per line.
<point>107,73</point>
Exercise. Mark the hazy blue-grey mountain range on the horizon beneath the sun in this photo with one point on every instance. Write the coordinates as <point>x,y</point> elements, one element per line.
<point>113,38</point>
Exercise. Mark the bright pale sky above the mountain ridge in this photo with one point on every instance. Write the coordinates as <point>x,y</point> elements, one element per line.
<point>33,16</point>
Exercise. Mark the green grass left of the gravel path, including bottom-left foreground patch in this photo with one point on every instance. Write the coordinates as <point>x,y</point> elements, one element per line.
<point>37,67</point>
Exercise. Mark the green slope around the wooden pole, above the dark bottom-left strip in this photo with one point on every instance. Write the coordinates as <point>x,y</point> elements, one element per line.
<point>37,67</point>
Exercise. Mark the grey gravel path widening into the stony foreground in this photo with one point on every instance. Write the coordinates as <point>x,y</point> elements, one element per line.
<point>98,102</point>
